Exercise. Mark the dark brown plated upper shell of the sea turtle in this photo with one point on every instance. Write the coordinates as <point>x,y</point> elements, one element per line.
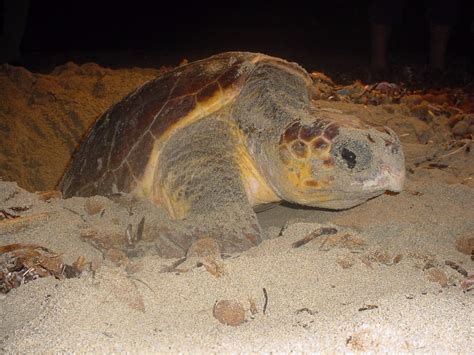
<point>117,148</point>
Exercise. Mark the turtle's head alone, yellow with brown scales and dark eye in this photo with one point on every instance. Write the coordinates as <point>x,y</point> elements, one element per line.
<point>337,163</point>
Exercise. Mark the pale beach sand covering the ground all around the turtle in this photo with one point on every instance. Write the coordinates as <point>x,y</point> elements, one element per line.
<point>393,277</point>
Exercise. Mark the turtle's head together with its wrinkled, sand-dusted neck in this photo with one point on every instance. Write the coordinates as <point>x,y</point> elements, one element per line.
<point>311,157</point>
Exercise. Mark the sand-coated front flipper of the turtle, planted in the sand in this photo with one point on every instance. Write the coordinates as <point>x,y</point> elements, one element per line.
<point>198,180</point>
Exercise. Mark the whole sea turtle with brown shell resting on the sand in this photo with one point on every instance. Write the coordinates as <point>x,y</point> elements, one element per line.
<point>210,140</point>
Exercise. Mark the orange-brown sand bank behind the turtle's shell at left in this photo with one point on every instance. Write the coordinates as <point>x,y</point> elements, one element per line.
<point>42,117</point>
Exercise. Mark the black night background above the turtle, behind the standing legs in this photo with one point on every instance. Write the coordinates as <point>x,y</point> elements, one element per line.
<point>330,35</point>
